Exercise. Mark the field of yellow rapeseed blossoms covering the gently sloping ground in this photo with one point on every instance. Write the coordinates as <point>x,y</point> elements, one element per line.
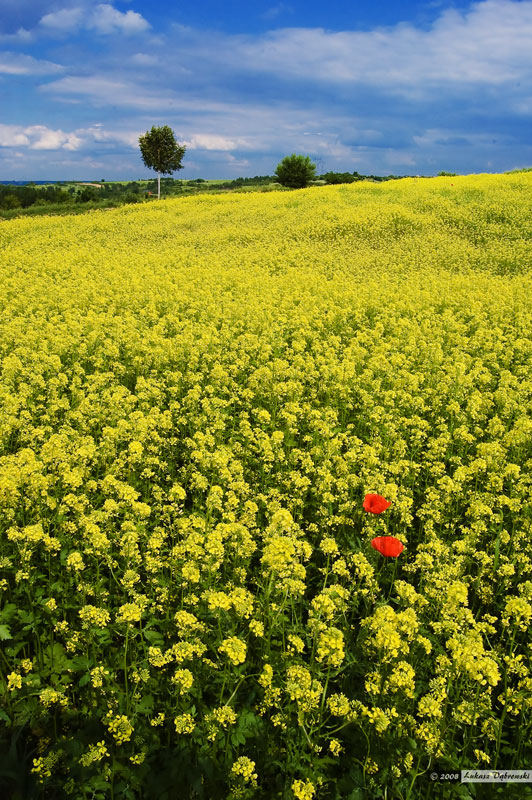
<point>197,396</point>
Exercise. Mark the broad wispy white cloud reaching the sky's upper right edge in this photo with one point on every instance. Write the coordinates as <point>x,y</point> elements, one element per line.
<point>489,44</point>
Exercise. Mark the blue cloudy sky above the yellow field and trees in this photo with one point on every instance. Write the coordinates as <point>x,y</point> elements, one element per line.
<point>378,87</point>
